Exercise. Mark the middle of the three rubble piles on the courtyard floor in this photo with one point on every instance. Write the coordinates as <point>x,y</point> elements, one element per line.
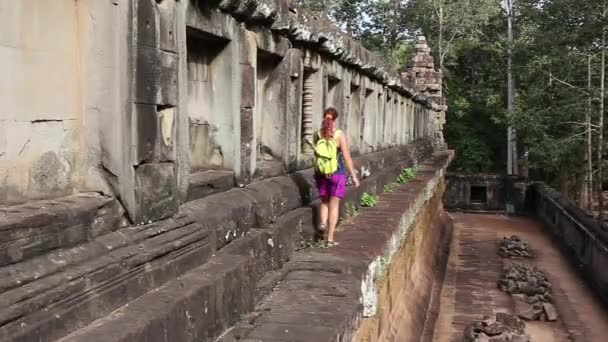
<point>531,290</point>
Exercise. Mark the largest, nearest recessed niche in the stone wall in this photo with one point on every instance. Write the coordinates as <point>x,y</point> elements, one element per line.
<point>210,113</point>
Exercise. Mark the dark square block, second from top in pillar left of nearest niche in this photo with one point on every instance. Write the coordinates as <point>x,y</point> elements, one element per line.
<point>156,78</point>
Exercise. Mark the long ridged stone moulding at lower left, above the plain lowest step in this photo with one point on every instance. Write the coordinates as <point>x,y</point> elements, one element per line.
<point>104,274</point>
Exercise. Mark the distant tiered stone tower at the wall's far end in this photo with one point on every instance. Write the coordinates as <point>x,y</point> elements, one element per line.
<point>428,81</point>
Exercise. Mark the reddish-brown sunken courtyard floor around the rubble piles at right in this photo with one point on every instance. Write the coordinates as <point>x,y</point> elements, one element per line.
<point>470,292</point>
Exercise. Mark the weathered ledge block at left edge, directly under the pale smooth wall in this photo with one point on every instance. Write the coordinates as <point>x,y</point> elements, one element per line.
<point>35,228</point>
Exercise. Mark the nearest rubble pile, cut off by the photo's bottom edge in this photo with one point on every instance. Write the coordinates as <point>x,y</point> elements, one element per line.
<point>502,328</point>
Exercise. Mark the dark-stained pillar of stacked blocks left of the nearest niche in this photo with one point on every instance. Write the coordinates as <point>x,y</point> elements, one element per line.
<point>146,179</point>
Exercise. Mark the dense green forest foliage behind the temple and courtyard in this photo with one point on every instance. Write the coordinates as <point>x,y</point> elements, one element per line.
<point>552,39</point>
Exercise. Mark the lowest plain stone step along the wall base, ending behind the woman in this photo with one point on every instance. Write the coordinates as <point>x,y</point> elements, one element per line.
<point>203,303</point>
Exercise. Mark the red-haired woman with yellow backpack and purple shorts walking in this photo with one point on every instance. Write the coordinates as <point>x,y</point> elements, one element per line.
<point>332,161</point>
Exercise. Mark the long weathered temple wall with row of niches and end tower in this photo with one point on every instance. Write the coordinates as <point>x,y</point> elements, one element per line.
<point>143,99</point>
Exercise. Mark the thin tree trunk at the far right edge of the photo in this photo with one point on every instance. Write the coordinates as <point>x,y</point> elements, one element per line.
<point>600,140</point>
